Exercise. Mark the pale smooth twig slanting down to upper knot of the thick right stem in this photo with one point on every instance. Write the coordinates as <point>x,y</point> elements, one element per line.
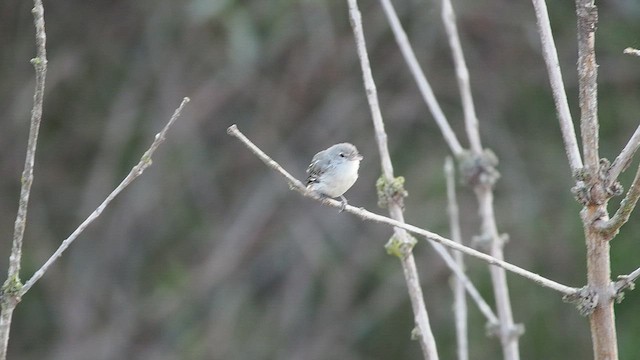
<point>550,55</point>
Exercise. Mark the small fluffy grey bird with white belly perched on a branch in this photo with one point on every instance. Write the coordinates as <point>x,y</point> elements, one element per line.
<point>334,170</point>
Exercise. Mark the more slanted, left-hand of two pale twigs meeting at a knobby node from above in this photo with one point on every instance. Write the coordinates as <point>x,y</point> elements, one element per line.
<point>421,79</point>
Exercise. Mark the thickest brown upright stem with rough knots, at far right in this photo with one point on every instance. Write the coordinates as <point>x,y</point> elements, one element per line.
<point>602,319</point>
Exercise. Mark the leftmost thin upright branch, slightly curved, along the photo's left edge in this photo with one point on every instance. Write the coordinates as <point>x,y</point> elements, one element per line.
<point>9,297</point>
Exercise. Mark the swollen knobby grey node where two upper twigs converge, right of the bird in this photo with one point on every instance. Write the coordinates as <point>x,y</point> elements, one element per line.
<point>479,169</point>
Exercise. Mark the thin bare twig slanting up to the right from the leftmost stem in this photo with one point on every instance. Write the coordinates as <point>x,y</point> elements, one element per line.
<point>136,171</point>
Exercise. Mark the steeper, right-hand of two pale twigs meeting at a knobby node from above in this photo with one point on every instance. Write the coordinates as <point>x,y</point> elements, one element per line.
<point>462,73</point>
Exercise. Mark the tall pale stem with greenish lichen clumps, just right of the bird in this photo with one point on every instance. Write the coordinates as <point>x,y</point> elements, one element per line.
<point>424,333</point>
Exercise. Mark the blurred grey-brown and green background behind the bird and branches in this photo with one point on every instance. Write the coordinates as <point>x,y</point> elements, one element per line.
<point>210,256</point>
